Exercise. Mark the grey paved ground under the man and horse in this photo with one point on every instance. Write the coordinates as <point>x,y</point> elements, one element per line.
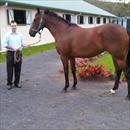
<point>40,105</point>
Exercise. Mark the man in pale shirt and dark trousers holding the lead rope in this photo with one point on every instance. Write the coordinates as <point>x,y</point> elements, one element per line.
<point>13,41</point>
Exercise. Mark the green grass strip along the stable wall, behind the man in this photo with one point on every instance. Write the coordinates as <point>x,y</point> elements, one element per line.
<point>30,51</point>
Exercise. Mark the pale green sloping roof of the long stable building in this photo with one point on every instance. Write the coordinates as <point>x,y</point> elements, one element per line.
<point>77,6</point>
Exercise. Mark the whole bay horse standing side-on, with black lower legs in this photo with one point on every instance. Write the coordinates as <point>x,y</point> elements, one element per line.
<point>73,41</point>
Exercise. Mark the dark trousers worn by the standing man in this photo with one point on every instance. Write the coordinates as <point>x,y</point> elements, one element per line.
<point>13,67</point>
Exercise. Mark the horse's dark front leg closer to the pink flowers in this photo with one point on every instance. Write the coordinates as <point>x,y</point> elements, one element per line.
<point>73,69</point>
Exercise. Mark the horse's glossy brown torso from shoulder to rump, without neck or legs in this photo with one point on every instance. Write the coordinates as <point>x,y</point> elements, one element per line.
<point>89,42</point>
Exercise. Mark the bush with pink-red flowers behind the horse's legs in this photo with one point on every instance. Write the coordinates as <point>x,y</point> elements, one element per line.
<point>88,70</point>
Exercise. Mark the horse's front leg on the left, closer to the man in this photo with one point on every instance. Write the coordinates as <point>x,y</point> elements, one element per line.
<point>65,60</point>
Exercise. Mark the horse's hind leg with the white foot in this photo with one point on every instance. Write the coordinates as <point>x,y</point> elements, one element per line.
<point>118,71</point>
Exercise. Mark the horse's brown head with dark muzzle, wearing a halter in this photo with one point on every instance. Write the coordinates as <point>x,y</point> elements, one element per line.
<point>37,24</point>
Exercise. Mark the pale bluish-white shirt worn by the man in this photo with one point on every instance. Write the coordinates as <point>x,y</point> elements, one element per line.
<point>14,39</point>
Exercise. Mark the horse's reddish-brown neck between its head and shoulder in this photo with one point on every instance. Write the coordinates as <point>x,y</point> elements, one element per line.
<point>56,28</point>
